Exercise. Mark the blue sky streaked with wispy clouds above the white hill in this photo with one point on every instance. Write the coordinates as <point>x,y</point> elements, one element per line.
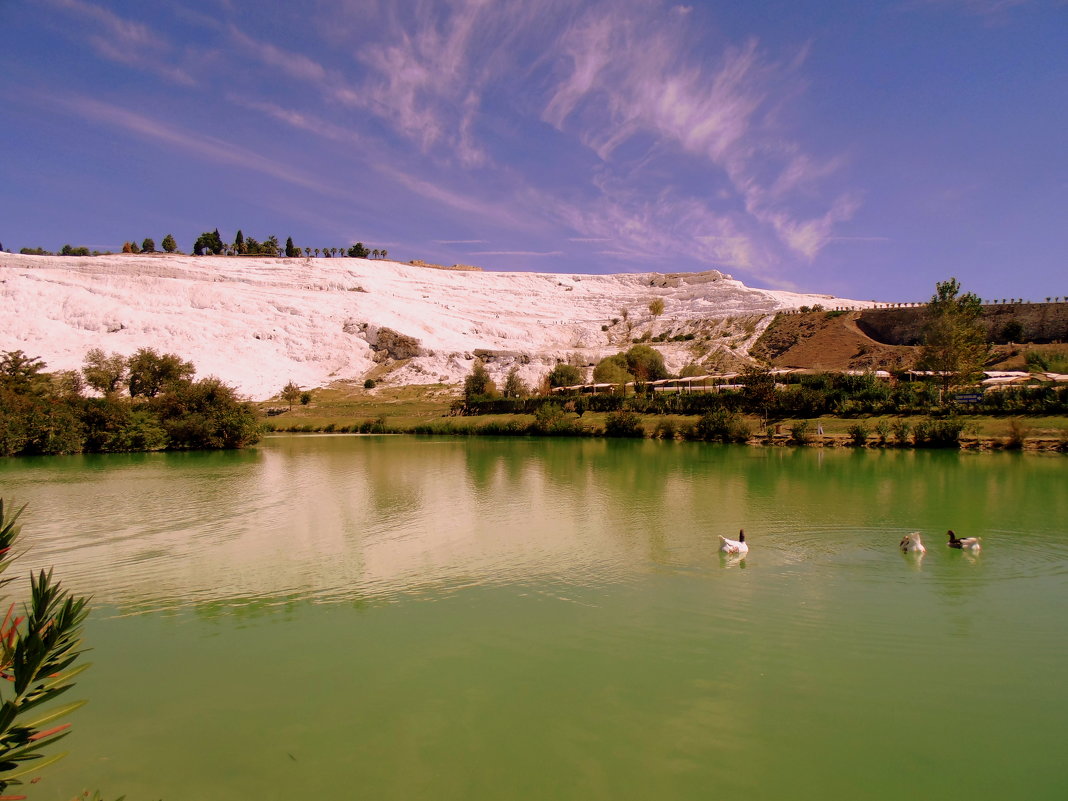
<point>867,150</point>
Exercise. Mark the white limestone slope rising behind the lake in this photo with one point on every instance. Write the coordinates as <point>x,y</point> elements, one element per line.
<point>259,323</point>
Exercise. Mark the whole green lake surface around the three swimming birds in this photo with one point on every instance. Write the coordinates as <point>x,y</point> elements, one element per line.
<point>337,618</point>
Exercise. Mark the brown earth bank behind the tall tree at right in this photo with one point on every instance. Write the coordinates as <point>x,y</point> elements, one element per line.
<point>889,339</point>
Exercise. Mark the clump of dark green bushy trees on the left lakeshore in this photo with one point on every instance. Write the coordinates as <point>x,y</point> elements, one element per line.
<point>149,402</point>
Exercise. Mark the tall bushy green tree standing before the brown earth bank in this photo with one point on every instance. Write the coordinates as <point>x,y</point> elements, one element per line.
<point>955,342</point>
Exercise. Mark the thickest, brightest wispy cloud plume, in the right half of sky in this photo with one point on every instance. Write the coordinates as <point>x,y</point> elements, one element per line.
<point>724,114</point>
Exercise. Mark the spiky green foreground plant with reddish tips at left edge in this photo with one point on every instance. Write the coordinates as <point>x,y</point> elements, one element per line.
<point>38,651</point>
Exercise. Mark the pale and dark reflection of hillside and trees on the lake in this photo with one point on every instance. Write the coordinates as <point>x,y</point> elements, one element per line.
<point>345,519</point>
